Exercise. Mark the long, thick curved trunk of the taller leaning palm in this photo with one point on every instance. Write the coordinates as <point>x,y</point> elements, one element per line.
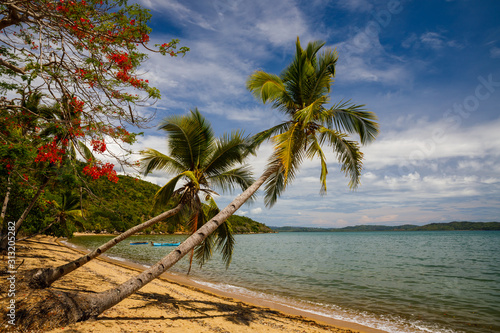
<point>85,306</point>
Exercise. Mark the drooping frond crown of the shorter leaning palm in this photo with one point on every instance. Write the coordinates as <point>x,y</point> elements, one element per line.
<point>200,162</point>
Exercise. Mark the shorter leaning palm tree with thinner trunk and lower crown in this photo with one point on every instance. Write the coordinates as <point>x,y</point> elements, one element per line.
<point>201,161</point>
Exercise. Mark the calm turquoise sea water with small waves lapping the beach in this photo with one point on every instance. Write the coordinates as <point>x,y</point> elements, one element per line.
<point>395,281</point>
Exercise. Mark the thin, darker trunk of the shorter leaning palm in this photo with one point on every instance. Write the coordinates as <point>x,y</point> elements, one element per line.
<point>44,277</point>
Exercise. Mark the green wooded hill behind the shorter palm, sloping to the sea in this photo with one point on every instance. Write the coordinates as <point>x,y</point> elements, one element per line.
<point>128,202</point>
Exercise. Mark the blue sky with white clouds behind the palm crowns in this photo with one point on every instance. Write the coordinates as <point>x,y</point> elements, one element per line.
<point>429,69</point>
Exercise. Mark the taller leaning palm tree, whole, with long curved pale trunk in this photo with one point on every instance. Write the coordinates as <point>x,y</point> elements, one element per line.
<point>301,92</point>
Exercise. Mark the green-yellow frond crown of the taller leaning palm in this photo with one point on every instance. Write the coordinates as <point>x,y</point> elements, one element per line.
<point>302,92</point>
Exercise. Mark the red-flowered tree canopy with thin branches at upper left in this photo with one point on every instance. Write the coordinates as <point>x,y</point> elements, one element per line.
<point>83,58</point>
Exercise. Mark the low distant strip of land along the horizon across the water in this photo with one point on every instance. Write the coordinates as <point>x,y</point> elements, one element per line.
<point>464,225</point>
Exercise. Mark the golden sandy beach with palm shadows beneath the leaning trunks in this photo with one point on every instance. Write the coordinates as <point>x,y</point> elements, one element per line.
<point>169,304</point>
